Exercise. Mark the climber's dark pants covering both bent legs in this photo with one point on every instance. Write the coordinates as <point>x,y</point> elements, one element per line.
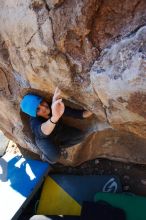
<point>65,136</point>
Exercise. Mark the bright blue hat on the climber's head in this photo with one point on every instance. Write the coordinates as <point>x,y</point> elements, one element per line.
<point>29,104</point>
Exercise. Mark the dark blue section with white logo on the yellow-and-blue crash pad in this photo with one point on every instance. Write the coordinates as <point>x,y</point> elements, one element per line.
<point>84,187</point>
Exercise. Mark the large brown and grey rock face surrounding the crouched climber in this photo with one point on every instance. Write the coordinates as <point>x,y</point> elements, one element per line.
<point>95,51</point>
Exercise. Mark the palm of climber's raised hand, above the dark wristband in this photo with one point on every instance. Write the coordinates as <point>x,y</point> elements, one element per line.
<point>57,109</point>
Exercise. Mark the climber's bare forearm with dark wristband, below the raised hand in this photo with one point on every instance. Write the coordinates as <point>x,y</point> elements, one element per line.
<point>47,127</point>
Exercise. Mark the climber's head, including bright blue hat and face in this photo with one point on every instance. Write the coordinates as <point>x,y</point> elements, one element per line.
<point>35,105</point>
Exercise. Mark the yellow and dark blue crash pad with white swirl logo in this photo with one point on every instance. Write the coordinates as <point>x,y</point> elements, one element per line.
<point>64,194</point>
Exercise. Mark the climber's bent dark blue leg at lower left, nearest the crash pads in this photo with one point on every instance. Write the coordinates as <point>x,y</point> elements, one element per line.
<point>49,150</point>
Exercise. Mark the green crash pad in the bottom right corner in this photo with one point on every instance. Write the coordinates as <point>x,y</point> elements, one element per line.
<point>134,206</point>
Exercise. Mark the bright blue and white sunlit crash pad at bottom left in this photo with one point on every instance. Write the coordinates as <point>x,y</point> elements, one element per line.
<point>19,180</point>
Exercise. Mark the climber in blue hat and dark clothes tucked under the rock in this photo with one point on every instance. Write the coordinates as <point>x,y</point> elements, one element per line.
<point>51,134</point>
